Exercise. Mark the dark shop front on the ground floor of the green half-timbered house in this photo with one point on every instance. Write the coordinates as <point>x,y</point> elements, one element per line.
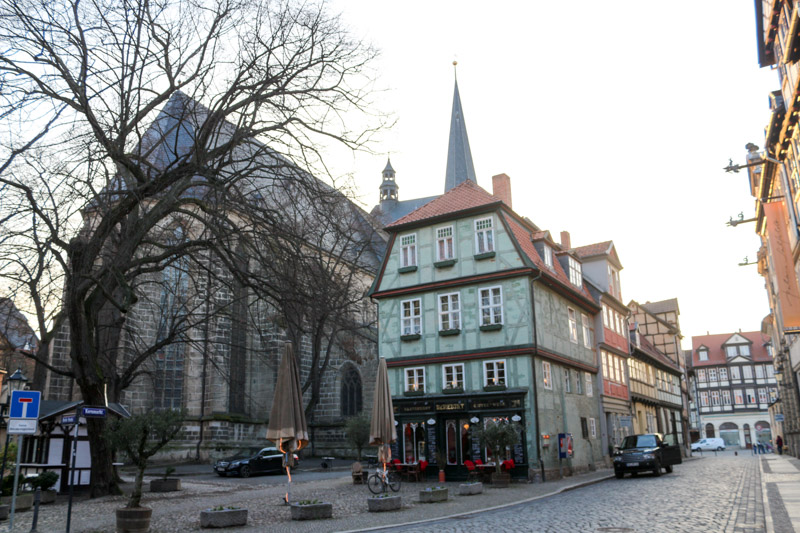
<point>448,424</point>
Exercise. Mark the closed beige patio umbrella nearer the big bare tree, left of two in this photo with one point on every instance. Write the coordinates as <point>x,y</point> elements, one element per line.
<point>287,419</point>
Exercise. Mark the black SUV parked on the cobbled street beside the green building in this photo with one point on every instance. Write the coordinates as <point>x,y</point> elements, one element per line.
<point>645,453</point>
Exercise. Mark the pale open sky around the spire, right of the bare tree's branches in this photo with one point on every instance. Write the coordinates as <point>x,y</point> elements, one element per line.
<point>614,121</point>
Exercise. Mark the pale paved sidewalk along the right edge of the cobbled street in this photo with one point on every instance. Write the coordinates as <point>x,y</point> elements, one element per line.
<point>780,485</point>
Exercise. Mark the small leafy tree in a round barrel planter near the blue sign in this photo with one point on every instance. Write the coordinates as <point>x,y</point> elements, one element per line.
<point>141,436</point>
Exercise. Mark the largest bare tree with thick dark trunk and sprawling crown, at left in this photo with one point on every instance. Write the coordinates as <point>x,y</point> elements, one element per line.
<point>120,121</point>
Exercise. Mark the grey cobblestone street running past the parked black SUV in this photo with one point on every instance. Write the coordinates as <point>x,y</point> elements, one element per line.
<point>712,494</point>
